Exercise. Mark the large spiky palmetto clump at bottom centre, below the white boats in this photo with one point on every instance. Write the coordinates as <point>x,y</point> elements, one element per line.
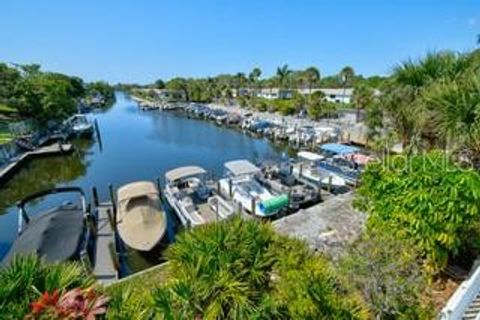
<point>242,270</point>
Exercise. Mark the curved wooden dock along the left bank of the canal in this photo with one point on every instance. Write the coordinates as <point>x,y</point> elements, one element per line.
<point>56,148</point>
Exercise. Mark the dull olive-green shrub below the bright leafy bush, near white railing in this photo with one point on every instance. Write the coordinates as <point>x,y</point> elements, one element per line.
<point>386,272</point>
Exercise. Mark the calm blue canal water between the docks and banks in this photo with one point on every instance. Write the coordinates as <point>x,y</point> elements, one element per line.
<point>135,145</point>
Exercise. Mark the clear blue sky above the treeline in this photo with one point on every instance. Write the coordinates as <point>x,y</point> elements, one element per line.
<point>142,40</point>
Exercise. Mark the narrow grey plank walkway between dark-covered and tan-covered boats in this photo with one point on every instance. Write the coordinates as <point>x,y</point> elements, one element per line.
<point>105,270</point>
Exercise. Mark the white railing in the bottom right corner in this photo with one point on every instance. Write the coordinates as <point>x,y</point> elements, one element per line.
<point>462,298</point>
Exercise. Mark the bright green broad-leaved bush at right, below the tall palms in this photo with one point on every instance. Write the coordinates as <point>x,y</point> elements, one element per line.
<point>426,198</point>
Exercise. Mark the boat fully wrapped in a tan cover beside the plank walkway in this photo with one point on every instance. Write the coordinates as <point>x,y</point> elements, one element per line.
<point>141,221</point>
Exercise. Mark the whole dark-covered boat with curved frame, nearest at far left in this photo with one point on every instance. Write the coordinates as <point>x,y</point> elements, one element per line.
<point>59,234</point>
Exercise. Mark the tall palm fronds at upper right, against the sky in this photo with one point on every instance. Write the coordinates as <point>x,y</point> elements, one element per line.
<point>434,103</point>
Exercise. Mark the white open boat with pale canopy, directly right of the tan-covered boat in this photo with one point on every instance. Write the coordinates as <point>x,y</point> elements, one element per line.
<point>192,199</point>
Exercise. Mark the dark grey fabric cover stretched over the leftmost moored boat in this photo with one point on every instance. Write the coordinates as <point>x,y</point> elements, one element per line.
<point>55,235</point>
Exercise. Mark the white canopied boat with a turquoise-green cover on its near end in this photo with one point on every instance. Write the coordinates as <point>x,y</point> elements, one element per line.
<point>241,185</point>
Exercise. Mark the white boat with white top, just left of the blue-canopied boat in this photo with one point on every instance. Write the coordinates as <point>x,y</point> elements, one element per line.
<point>308,167</point>
